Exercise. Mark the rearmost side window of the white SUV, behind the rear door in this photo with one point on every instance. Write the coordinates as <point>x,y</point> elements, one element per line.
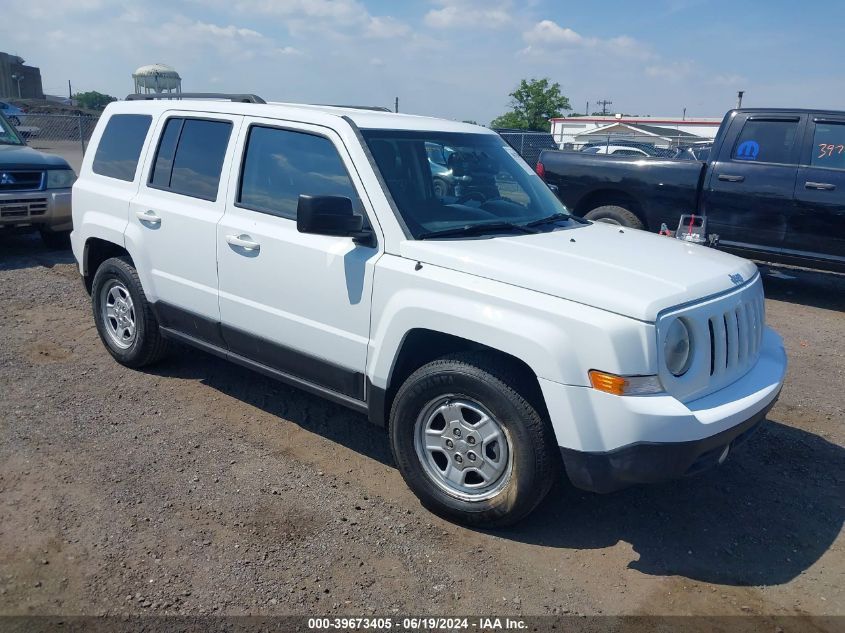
<point>120,146</point>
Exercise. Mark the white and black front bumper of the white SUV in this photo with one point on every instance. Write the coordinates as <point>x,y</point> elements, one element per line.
<point>610,442</point>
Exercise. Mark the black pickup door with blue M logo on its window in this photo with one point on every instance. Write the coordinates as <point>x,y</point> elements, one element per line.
<point>748,198</point>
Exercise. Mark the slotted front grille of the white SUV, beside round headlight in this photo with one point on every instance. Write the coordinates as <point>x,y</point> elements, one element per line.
<point>735,336</point>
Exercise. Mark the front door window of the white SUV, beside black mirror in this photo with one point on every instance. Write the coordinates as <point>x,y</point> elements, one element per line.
<point>279,165</point>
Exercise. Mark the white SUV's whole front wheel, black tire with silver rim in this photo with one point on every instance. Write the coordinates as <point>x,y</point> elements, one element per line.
<point>469,443</point>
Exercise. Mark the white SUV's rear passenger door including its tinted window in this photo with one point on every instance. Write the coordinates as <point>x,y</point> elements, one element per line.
<point>173,219</point>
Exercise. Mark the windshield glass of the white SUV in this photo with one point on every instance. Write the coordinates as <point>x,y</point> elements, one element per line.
<point>447,180</point>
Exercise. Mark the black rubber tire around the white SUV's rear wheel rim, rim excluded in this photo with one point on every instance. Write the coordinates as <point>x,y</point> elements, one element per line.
<point>147,346</point>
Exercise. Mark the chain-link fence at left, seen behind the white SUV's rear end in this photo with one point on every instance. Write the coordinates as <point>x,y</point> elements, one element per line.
<point>64,134</point>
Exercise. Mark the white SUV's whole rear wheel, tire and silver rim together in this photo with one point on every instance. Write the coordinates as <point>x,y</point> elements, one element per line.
<point>124,318</point>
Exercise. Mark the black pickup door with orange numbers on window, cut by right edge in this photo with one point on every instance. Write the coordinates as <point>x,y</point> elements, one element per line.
<point>818,227</point>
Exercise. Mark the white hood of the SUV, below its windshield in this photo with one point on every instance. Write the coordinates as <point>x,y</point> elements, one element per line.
<point>629,272</point>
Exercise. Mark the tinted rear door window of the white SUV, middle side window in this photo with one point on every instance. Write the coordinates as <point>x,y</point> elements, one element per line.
<point>190,157</point>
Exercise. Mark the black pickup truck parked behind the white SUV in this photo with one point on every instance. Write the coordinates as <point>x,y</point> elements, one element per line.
<point>773,187</point>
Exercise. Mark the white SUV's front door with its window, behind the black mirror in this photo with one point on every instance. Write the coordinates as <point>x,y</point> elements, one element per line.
<point>296,303</point>
